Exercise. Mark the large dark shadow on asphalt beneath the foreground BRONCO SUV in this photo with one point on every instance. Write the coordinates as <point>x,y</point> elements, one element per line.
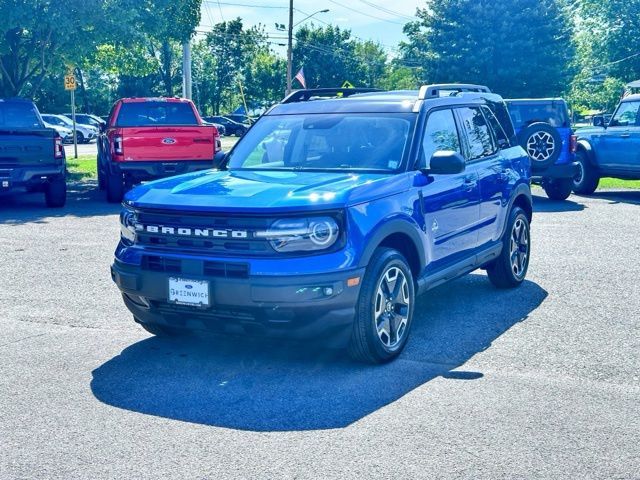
<point>252,385</point>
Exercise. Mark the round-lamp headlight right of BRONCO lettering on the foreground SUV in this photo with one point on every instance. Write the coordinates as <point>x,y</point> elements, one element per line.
<point>302,234</point>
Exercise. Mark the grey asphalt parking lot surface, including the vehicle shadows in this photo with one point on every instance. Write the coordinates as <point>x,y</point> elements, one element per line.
<point>540,382</point>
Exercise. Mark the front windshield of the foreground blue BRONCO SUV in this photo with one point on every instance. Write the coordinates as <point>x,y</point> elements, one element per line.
<point>362,141</point>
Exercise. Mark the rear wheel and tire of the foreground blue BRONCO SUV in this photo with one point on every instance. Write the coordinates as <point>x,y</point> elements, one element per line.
<point>505,272</point>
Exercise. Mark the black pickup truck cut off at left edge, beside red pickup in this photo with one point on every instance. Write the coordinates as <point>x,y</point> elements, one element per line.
<point>31,156</point>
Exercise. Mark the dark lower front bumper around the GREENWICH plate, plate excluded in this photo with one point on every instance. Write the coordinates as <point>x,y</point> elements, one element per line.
<point>297,306</point>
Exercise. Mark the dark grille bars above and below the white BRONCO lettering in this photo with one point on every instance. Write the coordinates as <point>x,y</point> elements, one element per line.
<point>214,246</point>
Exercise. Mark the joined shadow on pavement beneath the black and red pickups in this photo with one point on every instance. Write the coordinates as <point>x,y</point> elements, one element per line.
<point>83,200</point>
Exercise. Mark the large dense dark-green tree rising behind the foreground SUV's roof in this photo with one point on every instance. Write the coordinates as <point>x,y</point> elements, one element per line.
<point>518,48</point>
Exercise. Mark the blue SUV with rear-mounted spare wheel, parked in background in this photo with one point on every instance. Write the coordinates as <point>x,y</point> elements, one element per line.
<point>543,128</point>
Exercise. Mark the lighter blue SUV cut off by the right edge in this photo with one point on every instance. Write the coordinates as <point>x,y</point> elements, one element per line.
<point>611,150</point>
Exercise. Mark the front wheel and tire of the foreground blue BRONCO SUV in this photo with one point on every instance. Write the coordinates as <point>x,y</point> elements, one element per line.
<point>381,327</point>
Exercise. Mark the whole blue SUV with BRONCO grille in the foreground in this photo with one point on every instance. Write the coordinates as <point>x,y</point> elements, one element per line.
<point>329,216</point>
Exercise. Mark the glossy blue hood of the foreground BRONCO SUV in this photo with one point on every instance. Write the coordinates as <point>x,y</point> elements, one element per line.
<point>251,191</point>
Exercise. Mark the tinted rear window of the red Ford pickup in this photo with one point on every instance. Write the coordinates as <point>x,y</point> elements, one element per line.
<point>145,114</point>
